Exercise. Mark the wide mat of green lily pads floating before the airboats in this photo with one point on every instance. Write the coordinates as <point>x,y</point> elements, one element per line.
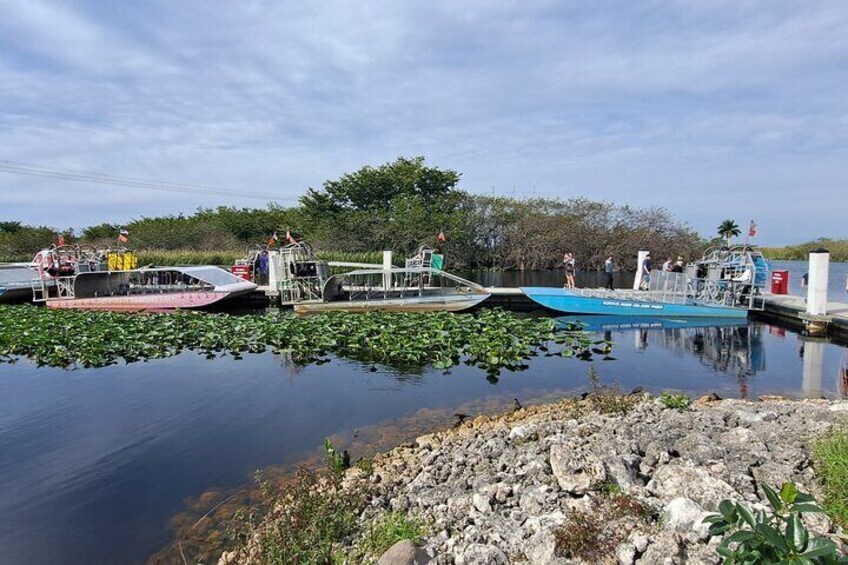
<point>489,339</point>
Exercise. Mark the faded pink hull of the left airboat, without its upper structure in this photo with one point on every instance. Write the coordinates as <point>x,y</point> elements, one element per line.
<point>164,302</point>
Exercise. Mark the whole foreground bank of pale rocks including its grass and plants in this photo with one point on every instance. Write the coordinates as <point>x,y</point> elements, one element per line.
<point>610,478</point>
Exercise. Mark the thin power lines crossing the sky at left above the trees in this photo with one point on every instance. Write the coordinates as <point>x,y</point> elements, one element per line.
<point>130,182</point>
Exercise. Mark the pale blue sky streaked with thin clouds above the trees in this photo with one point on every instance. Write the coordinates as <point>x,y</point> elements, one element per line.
<point>711,109</point>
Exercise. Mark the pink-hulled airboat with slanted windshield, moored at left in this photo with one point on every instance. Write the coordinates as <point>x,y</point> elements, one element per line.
<point>103,278</point>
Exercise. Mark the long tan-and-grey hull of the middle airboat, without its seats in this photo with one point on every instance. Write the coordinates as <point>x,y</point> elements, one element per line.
<point>417,304</point>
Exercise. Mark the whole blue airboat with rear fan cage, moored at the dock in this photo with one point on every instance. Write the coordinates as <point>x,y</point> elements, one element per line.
<point>724,283</point>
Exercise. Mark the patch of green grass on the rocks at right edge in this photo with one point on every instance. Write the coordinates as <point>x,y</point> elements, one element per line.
<point>831,464</point>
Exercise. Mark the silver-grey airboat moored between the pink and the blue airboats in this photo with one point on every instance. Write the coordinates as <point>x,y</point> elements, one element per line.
<point>297,278</point>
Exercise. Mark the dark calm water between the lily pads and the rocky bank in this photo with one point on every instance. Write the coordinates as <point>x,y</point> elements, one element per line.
<point>93,463</point>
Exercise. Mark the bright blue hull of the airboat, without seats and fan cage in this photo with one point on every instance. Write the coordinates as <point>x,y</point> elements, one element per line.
<point>567,302</point>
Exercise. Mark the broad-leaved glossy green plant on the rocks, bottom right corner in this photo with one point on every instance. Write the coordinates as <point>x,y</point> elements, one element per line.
<point>777,536</point>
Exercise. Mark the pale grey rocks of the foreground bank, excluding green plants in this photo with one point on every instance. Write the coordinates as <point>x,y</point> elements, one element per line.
<point>604,480</point>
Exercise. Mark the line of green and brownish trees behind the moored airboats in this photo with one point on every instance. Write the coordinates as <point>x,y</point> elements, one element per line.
<point>399,206</point>
